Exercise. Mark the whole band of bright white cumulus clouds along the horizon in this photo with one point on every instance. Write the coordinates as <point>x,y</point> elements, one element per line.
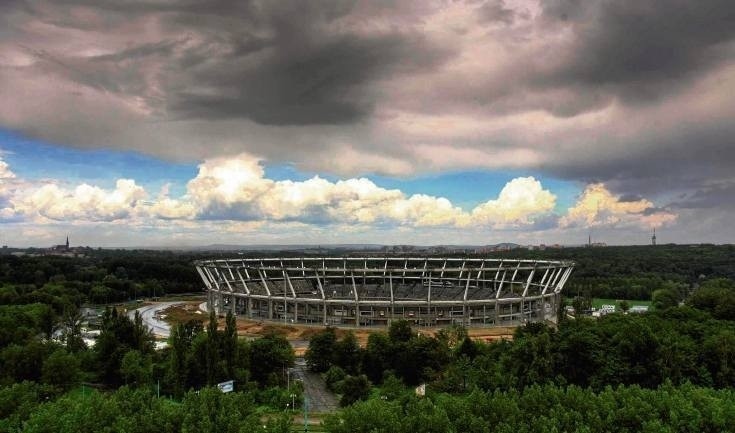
<point>237,192</point>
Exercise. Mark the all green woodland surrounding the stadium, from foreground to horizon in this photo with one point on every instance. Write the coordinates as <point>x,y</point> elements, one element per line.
<point>669,370</point>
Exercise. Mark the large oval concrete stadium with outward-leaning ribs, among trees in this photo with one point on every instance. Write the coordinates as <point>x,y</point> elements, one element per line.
<point>373,291</point>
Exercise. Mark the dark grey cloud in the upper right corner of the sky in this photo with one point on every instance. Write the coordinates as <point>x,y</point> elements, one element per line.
<point>639,50</point>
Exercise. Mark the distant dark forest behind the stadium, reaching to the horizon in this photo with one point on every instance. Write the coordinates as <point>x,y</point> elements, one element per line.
<point>105,276</point>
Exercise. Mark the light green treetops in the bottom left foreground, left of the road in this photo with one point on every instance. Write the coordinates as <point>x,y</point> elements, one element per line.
<point>24,407</point>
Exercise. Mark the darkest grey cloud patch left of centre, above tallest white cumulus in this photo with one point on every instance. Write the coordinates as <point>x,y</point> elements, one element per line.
<point>321,83</point>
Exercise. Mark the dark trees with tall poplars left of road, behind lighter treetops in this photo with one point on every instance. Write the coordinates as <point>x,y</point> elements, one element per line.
<point>197,356</point>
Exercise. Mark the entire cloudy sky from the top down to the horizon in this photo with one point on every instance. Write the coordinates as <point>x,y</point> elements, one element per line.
<point>165,122</point>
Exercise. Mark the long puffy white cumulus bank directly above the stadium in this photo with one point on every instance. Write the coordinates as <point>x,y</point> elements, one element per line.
<point>236,188</point>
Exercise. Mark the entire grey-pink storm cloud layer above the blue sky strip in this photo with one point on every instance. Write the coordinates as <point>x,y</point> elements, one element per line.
<point>629,93</point>
